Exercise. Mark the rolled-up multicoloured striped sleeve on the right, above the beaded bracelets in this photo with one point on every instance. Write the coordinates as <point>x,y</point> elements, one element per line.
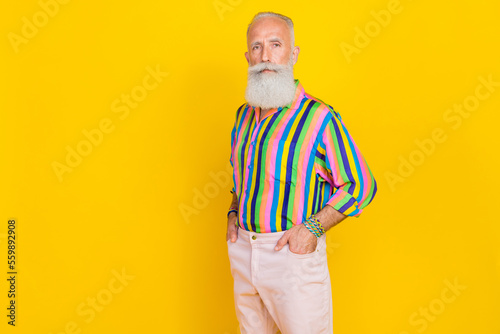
<point>344,168</point>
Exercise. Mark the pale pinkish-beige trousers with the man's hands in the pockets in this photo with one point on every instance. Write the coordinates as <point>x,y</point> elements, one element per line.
<point>280,291</point>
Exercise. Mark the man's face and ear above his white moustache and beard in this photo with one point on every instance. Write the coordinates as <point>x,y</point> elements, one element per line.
<point>269,40</point>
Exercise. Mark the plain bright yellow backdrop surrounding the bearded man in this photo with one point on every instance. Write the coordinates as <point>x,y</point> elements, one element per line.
<point>123,207</point>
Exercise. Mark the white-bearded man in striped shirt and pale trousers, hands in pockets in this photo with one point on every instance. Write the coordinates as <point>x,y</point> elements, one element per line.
<point>297,173</point>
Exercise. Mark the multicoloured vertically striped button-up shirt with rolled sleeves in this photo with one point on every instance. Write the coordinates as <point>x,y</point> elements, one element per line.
<point>293,162</point>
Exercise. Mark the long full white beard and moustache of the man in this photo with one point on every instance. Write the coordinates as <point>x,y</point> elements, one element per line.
<point>270,90</point>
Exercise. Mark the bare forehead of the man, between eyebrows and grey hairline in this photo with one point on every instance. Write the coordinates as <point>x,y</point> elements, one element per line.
<point>268,27</point>
